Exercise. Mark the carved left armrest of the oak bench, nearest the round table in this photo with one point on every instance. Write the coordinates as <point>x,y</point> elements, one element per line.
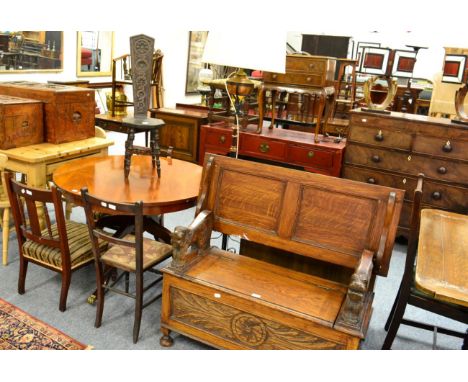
<point>187,242</point>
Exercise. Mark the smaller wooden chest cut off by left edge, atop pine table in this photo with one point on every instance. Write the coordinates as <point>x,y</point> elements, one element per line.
<point>21,122</point>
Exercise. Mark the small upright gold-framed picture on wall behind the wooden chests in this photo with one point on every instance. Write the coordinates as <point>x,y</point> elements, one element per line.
<point>94,53</point>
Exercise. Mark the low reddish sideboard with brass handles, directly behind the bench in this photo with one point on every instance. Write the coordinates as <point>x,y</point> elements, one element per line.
<point>294,148</point>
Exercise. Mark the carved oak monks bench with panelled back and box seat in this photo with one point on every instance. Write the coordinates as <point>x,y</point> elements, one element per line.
<point>231,301</point>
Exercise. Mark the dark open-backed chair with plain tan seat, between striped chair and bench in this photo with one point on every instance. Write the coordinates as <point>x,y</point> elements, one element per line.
<point>131,254</point>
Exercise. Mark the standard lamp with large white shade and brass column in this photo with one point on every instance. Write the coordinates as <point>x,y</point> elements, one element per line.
<point>244,50</point>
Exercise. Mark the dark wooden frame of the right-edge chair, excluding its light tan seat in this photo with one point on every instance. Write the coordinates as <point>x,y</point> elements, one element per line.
<point>410,293</point>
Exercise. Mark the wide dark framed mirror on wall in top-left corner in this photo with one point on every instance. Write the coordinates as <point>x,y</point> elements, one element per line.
<point>31,51</point>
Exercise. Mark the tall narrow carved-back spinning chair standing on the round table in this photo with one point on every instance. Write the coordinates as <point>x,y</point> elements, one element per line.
<point>141,48</point>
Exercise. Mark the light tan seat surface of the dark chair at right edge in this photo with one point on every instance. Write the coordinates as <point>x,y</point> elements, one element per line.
<point>442,262</point>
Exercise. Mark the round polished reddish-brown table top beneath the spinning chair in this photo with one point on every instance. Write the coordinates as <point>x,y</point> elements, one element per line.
<point>176,190</point>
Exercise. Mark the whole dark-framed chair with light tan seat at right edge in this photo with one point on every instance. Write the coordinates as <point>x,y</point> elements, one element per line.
<point>412,291</point>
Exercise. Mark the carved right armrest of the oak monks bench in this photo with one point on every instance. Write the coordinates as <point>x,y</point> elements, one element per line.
<point>353,314</point>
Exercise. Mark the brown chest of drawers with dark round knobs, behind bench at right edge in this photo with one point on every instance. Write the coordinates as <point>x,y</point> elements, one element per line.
<point>391,149</point>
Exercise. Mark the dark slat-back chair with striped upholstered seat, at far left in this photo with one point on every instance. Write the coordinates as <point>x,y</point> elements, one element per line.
<point>63,246</point>
